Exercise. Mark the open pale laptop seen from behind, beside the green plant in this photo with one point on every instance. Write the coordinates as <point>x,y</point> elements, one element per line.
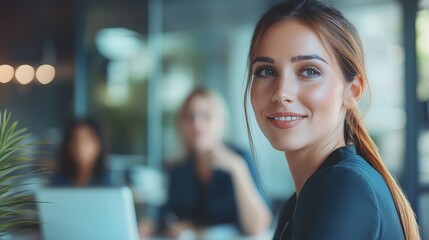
<point>87,213</point>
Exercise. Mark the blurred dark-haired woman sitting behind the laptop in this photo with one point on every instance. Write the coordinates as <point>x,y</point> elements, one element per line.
<point>82,156</point>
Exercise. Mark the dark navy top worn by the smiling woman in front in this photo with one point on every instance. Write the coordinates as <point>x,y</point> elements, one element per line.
<point>346,198</point>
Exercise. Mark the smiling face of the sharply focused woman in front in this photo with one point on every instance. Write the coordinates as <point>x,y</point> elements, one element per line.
<point>297,89</point>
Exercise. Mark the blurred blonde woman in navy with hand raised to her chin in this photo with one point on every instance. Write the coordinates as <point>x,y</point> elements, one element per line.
<point>214,184</point>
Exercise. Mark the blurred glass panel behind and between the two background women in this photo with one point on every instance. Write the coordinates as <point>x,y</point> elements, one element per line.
<point>117,71</point>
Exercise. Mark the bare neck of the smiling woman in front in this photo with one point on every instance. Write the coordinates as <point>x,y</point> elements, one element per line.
<point>304,162</point>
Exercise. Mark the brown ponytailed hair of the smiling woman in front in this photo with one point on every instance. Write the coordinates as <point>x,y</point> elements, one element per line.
<point>342,38</point>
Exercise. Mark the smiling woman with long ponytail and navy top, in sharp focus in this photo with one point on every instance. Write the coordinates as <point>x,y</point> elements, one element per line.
<point>306,77</point>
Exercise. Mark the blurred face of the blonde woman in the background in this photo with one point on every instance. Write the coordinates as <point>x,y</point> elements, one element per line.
<point>202,124</point>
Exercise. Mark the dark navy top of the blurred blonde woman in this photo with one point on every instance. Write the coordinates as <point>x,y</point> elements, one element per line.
<point>204,205</point>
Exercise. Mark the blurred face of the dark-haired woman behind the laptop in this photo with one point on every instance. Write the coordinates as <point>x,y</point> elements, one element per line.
<point>84,146</point>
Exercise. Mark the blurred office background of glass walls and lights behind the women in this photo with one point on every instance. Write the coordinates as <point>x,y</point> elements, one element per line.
<point>130,63</point>
